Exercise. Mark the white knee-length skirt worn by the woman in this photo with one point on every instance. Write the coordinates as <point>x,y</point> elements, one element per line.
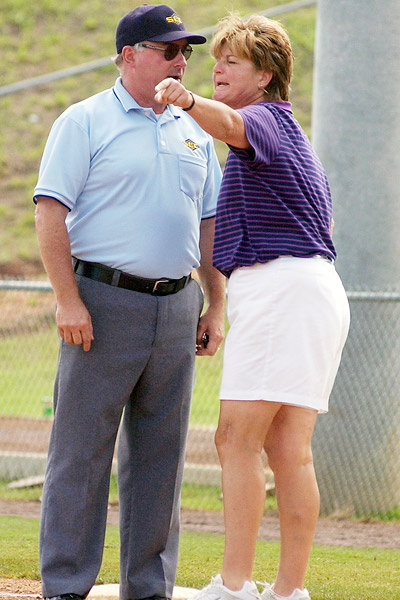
<point>289,319</point>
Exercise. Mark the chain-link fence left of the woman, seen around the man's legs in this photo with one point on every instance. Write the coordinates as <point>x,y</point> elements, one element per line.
<point>28,355</point>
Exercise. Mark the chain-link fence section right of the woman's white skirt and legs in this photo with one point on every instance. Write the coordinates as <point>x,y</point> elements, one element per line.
<point>357,444</point>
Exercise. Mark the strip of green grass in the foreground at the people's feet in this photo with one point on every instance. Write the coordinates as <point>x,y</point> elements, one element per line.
<point>335,573</point>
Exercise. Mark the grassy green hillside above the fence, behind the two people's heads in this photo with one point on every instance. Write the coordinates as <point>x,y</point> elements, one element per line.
<point>48,35</point>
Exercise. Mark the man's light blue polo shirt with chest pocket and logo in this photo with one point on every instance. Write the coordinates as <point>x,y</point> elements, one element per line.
<point>136,184</point>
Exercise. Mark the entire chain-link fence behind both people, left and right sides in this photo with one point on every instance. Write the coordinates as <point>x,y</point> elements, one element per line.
<point>356,446</point>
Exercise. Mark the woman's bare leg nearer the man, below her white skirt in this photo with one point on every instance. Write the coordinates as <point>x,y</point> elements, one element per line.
<point>239,439</point>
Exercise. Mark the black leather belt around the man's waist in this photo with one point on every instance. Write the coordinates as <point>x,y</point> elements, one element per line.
<point>104,274</point>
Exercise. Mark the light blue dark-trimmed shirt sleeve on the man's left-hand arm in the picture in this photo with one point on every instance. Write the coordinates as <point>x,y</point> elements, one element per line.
<point>65,163</point>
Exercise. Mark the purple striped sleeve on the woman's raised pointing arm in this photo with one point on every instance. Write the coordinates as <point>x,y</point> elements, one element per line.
<point>262,132</point>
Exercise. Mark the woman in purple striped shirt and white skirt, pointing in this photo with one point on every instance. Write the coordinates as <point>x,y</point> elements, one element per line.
<point>287,308</point>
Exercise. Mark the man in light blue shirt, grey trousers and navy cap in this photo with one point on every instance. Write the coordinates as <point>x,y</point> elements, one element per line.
<point>125,211</point>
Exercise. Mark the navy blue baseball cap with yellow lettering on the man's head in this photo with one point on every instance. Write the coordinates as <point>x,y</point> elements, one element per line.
<point>154,23</point>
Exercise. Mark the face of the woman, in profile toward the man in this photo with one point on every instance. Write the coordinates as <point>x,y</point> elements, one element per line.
<point>237,82</point>
